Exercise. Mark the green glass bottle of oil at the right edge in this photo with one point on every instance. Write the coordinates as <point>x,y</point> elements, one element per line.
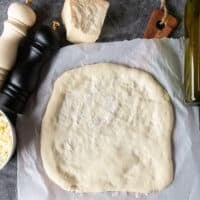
<point>192,54</point>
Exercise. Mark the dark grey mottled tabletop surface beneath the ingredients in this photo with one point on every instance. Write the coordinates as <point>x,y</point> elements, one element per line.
<point>126,19</point>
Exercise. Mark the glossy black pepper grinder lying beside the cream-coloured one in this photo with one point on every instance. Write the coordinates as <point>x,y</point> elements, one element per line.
<point>24,78</point>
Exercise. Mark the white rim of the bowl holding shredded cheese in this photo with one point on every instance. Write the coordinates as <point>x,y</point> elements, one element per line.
<point>14,142</point>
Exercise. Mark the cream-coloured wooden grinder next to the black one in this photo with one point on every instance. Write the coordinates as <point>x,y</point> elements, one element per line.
<point>20,18</point>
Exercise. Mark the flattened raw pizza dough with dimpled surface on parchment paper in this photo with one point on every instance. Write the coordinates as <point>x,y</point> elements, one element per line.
<point>108,128</point>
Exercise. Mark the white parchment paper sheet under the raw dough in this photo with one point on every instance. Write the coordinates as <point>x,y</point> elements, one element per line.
<point>162,58</point>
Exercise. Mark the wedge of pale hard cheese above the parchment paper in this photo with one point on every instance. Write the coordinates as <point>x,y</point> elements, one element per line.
<point>83,19</point>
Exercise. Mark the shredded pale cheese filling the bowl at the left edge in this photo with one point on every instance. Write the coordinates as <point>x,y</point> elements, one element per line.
<point>6,140</point>
